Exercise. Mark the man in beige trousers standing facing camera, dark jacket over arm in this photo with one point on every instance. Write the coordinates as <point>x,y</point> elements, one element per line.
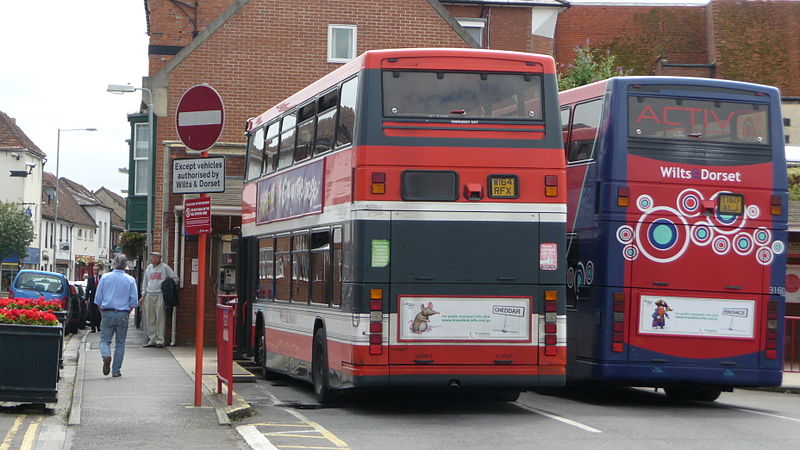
<point>153,299</point>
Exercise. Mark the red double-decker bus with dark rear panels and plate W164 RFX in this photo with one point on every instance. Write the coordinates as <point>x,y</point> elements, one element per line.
<point>403,219</point>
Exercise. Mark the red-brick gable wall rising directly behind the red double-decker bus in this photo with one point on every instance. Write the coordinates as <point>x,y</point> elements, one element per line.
<point>266,51</point>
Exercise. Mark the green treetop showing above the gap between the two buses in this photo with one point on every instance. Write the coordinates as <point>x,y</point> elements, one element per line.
<point>591,64</point>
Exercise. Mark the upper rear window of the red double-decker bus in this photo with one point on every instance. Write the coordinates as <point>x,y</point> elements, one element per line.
<point>457,95</point>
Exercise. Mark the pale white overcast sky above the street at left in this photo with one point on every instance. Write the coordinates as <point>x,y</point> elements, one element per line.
<point>58,57</point>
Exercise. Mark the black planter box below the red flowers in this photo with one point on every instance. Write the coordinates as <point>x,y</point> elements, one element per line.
<point>30,363</point>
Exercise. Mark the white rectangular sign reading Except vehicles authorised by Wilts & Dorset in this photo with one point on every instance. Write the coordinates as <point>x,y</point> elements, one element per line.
<point>198,175</point>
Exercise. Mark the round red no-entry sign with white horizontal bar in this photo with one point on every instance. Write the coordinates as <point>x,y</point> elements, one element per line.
<point>199,117</point>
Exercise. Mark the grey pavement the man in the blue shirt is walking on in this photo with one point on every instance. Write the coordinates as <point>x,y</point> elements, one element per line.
<point>152,404</point>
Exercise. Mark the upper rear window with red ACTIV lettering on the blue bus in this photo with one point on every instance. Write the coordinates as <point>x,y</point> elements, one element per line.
<point>698,120</point>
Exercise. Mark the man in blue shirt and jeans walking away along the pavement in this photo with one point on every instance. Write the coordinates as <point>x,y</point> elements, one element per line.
<point>116,296</point>
